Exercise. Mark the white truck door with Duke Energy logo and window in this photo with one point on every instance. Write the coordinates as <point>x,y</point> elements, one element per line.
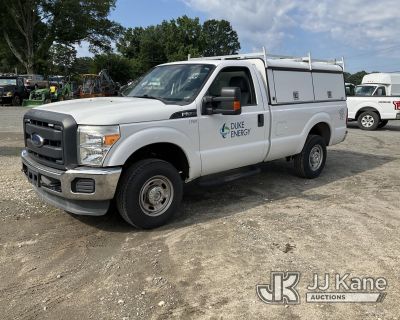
<point>233,141</point>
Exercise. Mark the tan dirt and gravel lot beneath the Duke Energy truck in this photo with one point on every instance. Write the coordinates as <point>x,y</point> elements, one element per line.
<point>207,262</point>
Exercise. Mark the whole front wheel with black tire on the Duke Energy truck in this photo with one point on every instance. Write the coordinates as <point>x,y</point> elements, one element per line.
<point>135,189</point>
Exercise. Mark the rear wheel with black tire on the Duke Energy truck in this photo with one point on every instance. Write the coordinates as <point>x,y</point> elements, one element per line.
<point>306,163</point>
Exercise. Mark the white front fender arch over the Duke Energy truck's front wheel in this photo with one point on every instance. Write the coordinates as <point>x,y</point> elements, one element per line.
<point>129,144</point>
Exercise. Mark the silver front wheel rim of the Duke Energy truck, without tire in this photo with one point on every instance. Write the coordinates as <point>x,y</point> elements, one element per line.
<point>156,196</point>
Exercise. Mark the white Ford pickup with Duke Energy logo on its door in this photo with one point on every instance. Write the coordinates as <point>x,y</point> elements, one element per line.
<point>183,121</point>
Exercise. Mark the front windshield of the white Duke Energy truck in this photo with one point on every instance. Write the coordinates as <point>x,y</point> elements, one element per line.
<point>178,83</point>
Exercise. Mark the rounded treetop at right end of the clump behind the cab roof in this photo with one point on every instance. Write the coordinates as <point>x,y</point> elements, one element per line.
<point>219,38</point>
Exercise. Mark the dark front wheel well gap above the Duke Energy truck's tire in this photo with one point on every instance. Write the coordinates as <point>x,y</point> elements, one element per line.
<point>165,151</point>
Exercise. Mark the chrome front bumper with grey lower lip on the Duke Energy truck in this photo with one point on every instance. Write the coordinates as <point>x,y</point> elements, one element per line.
<point>57,186</point>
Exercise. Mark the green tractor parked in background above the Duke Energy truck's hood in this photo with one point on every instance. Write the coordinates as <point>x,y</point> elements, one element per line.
<point>54,93</point>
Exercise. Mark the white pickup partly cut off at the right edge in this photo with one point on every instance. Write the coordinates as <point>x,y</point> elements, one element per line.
<point>376,101</point>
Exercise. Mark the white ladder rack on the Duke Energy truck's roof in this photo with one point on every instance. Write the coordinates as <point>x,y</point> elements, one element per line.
<point>264,56</point>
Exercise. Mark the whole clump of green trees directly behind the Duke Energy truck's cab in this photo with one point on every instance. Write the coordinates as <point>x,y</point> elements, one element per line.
<point>173,40</point>
